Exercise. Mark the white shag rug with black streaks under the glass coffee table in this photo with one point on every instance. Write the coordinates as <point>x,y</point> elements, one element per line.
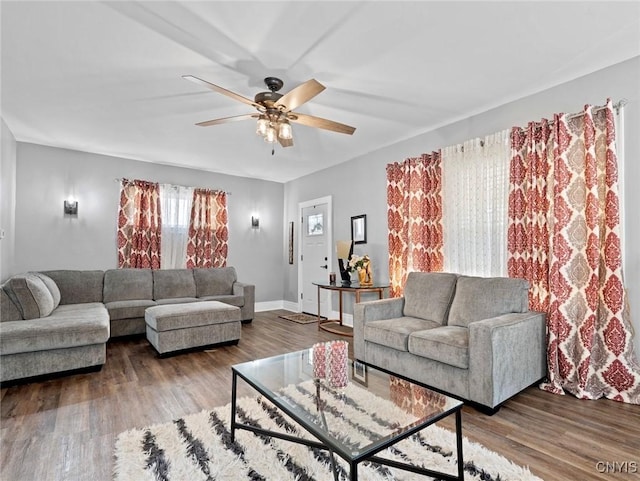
<point>198,447</point>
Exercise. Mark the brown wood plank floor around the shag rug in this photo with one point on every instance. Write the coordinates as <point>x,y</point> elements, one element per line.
<point>65,428</point>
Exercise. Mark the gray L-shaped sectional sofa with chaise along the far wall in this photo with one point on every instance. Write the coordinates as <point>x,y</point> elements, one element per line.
<point>60,320</point>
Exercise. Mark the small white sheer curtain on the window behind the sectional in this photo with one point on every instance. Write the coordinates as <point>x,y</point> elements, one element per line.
<point>175,204</point>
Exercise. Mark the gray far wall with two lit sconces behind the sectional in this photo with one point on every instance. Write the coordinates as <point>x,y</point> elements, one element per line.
<point>46,239</point>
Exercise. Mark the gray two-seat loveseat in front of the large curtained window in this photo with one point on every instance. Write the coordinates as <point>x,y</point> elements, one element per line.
<point>471,337</point>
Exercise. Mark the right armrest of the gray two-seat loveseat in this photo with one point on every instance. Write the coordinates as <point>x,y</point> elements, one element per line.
<point>507,353</point>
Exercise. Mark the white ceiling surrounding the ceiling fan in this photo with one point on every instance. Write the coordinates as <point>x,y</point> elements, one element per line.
<point>105,77</point>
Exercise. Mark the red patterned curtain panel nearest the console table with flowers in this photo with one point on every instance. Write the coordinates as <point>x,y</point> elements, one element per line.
<point>414,215</point>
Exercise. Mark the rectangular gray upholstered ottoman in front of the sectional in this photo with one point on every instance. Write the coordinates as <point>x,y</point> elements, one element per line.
<point>176,327</point>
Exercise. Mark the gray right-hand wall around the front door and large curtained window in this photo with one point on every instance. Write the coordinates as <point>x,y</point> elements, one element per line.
<point>367,195</point>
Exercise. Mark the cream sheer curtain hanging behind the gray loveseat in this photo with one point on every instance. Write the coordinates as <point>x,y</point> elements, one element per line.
<point>475,188</point>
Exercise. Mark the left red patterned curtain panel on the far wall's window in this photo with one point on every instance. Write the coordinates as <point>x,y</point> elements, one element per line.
<point>139,225</point>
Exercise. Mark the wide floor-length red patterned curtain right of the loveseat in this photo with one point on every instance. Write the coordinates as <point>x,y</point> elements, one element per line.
<point>564,237</point>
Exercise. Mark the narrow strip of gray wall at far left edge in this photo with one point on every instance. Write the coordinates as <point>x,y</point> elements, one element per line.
<point>7,202</point>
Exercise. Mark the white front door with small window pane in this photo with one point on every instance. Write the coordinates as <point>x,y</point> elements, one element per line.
<point>315,257</point>
